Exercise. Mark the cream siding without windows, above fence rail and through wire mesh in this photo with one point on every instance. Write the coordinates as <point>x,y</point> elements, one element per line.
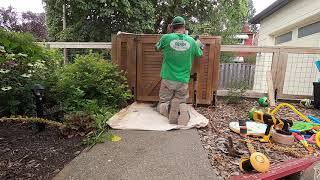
<point>301,71</point>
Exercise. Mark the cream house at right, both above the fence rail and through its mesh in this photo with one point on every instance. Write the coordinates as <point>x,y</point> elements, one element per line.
<point>289,23</point>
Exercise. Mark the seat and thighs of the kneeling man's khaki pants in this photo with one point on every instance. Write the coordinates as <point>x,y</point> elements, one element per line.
<point>173,89</point>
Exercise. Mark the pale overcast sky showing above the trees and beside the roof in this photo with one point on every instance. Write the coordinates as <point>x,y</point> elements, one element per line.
<point>36,5</point>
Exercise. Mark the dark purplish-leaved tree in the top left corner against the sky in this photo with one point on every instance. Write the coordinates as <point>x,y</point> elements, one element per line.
<point>33,23</point>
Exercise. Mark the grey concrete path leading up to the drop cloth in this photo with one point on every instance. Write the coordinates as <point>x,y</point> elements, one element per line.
<point>143,155</point>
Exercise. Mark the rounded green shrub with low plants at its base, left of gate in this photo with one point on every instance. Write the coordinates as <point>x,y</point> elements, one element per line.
<point>96,88</point>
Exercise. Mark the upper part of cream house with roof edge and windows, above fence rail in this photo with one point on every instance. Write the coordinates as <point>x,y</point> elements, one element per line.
<point>290,23</point>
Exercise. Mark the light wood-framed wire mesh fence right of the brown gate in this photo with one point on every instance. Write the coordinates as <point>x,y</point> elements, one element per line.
<point>293,70</point>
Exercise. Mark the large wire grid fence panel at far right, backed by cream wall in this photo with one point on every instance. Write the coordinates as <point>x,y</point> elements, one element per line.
<point>301,72</point>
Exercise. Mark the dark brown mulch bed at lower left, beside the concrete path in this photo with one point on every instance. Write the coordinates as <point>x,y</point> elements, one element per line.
<point>26,154</point>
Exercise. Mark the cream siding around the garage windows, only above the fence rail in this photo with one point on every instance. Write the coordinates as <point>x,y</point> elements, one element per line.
<point>296,14</point>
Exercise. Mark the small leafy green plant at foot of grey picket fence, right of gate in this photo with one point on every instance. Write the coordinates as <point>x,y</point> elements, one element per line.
<point>236,92</point>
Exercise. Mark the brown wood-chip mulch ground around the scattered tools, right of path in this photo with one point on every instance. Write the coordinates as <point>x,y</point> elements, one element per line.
<point>215,136</point>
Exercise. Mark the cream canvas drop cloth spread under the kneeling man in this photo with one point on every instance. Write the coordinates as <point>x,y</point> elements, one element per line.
<point>142,116</point>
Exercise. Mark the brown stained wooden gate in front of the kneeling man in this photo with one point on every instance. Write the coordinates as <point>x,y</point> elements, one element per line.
<point>137,55</point>
